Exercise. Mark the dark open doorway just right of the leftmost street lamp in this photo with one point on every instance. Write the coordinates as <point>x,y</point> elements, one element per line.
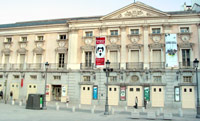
<point>56,92</point>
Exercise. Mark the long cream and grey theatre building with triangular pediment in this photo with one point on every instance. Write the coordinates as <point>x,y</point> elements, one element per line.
<point>151,53</point>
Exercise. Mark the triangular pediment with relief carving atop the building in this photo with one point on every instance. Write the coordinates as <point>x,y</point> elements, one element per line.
<point>135,10</point>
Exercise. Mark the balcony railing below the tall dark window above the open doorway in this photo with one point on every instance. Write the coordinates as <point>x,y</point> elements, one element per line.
<point>57,66</point>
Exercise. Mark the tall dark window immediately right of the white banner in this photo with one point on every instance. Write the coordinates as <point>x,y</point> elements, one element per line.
<point>186,57</point>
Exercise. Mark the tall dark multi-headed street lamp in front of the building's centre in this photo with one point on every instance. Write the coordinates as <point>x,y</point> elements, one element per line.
<point>107,70</point>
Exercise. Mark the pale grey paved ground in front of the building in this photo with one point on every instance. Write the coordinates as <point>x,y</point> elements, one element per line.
<point>15,112</point>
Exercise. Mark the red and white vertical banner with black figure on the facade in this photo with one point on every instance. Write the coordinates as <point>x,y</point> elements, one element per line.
<point>100,51</point>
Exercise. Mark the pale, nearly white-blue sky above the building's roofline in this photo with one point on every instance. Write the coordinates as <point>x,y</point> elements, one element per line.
<point>12,11</point>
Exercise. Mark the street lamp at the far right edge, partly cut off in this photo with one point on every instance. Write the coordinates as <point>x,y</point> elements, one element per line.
<point>196,62</point>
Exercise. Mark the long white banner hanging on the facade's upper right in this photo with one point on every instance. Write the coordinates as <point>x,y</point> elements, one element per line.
<point>171,50</point>
